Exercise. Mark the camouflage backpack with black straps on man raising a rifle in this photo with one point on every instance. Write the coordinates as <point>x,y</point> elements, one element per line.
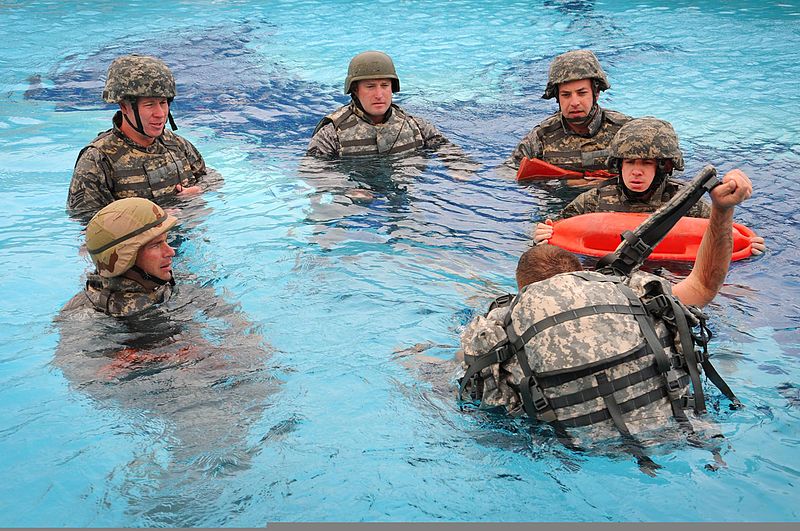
<point>589,349</point>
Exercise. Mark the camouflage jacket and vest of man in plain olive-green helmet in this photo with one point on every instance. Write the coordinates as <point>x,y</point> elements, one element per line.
<point>348,132</point>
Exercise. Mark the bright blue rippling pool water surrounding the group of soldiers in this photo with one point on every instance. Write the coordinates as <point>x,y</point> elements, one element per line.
<point>349,425</point>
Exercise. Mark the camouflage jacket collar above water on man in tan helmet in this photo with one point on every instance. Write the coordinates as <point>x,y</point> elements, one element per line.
<point>117,296</point>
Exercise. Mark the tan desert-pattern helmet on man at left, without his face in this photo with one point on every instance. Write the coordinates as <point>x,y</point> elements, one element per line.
<point>117,232</point>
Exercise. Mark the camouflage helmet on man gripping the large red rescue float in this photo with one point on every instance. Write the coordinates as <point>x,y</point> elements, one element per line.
<point>645,138</point>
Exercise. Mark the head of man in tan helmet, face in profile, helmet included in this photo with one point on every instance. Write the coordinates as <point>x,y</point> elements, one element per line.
<point>130,236</point>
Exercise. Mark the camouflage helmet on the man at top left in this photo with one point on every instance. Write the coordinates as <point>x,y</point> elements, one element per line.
<point>133,76</point>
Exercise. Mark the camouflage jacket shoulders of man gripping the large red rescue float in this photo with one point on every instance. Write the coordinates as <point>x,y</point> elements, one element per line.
<point>611,198</point>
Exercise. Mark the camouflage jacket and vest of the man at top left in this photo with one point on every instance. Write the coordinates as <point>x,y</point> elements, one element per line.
<point>113,167</point>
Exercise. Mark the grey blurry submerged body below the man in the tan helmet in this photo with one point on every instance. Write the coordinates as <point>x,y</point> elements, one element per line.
<point>196,367</point>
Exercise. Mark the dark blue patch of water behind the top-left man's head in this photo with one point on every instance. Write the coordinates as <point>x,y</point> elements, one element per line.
<point>222,83</point>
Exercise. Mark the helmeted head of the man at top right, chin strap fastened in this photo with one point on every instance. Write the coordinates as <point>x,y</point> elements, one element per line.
<point>576,80</point>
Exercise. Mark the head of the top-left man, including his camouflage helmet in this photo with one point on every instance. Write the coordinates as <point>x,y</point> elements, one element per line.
<point>144,88</point>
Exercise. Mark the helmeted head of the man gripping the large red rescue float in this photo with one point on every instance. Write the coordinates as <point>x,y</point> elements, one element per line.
<point>645,151</point>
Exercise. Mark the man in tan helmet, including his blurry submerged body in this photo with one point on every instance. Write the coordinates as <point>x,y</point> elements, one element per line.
<point>136,338</point>
